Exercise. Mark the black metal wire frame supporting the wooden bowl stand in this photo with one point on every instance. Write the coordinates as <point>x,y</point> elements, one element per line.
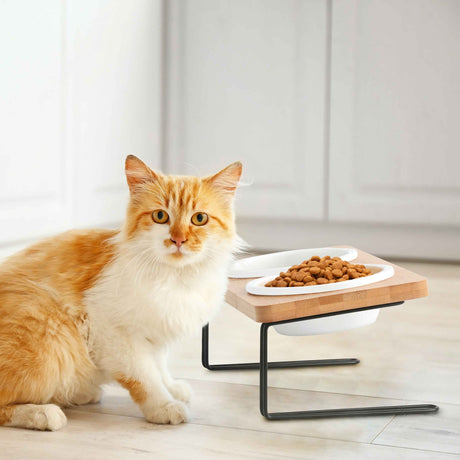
<point>264,365</point>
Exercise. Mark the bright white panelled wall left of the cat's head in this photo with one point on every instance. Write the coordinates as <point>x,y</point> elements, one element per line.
<point>80,88</point>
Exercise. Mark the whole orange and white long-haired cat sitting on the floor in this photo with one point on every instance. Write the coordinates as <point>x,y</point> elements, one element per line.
<point>91,306</point>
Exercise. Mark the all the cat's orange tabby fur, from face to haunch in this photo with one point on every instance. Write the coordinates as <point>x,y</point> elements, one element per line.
<point>45,356</point>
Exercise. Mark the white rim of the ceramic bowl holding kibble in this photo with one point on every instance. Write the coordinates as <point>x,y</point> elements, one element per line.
<point>379,273</point>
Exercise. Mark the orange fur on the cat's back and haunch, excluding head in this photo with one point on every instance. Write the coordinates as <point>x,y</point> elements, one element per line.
<point>41,291</point>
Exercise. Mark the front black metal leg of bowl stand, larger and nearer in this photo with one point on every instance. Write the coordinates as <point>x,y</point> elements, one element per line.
<point>346,412</point>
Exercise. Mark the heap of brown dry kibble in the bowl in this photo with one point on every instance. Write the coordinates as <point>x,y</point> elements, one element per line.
<point>319,270</point>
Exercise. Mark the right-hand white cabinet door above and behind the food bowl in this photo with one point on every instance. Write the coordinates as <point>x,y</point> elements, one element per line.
<point>395,111</point>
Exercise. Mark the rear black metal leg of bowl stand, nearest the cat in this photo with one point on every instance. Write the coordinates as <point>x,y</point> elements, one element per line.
<point>272,365</point>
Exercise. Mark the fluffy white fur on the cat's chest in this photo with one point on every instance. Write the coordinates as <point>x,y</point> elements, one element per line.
<point>161,304</point>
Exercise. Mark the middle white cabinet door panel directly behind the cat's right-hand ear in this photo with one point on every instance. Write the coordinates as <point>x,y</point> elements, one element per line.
<point>246,81</point>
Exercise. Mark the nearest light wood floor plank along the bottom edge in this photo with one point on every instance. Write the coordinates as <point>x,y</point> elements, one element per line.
<point>100,436</point>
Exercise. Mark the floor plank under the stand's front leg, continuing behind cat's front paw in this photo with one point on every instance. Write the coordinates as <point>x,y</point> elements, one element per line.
<point>236,406</point>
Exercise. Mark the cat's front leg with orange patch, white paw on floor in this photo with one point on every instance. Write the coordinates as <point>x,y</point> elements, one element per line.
<point>141,376</point>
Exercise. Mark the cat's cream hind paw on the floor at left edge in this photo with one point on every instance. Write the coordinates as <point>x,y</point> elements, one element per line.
<point>34,416</point>
